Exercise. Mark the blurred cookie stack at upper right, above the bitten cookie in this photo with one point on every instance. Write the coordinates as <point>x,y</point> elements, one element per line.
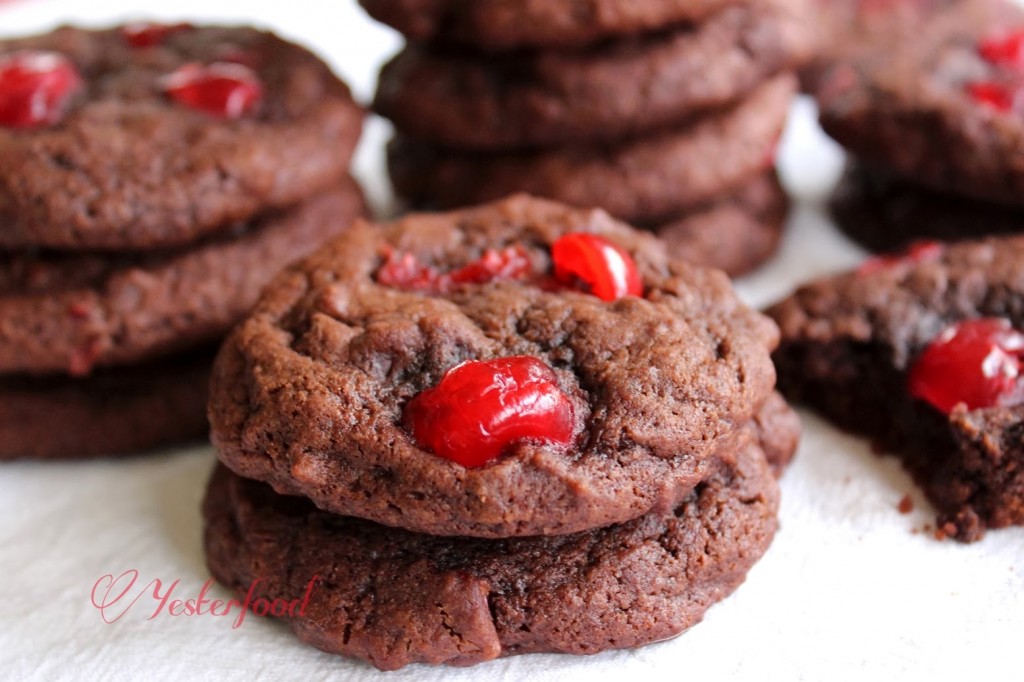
<point>935,126</point>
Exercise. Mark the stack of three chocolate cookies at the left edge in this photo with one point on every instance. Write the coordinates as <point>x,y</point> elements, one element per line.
<point>153,179</point>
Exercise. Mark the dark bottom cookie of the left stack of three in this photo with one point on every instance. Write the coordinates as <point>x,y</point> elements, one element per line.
<point>114,412</point>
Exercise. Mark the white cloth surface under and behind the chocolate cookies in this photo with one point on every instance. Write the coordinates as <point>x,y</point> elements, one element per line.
<point>851,589</point>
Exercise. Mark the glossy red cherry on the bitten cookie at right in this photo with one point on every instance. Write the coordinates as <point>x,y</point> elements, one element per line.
<point>976,363</point>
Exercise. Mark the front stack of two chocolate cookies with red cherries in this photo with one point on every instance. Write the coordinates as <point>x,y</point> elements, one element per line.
<point>509,430</point>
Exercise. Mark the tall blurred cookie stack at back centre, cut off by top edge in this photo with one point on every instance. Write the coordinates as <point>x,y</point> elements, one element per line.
<point>666,114</point>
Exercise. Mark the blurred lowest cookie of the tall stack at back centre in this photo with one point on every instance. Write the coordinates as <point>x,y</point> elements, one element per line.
<point>735,235</point>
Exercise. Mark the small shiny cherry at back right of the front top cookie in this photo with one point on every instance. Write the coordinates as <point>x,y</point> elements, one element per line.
<point>595,266</point>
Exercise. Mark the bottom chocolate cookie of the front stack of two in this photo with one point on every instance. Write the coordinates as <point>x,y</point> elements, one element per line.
<point>394,599</point>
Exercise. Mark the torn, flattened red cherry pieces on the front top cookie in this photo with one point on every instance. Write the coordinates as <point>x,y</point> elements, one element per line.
<point>404,271</point>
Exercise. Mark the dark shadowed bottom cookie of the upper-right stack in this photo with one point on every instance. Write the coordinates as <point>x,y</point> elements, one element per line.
<point>886,214</point>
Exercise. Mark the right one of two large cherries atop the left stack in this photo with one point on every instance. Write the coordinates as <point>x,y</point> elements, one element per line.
<point>221,90</point>
